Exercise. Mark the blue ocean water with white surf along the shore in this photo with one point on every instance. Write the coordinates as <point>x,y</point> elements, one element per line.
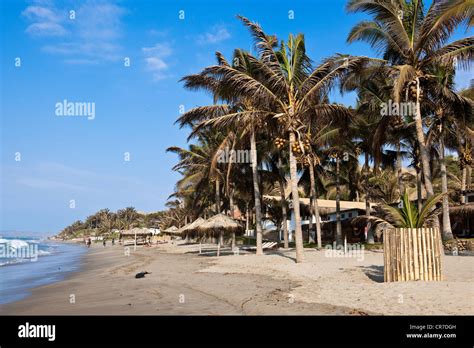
<point>26,263</point>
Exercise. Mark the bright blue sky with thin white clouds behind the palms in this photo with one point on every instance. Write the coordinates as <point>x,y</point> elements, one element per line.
<point>81,59</point>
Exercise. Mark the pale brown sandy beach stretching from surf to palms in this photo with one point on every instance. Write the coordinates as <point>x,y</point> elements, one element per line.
<point>183,283</point>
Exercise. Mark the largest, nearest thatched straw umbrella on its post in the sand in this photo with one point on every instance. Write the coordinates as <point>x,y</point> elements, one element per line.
<point>220,225</point>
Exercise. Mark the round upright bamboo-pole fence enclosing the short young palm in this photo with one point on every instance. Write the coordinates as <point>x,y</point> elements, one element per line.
<point>412,254</point>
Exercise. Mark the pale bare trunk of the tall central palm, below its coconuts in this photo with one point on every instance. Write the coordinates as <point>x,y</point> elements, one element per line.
<point>296,202</point>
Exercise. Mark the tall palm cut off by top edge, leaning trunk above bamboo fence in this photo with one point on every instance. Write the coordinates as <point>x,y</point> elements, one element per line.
<point>413,40</point>
